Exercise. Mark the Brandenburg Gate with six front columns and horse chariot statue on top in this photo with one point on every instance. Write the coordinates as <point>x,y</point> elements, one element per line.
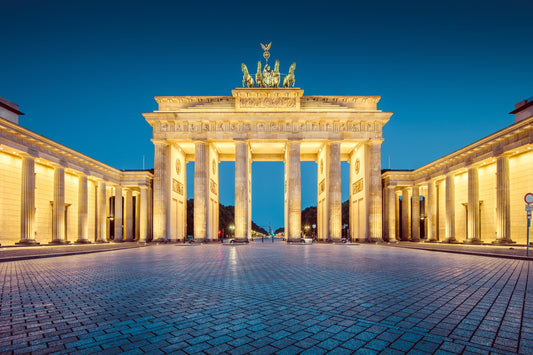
<point>267,123</point>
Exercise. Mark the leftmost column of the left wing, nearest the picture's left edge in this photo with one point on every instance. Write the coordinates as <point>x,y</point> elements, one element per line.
<point>27,211</point>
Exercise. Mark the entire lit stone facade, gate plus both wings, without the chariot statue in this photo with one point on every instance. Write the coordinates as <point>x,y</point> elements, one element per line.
<point>52,194</point>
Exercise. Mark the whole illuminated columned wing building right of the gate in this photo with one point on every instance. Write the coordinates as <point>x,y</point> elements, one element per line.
<point>473,195</point>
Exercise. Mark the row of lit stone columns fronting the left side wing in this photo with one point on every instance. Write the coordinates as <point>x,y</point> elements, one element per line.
<point>123,216</point>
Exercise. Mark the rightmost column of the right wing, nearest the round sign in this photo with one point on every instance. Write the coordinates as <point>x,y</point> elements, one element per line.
<point>503,201</point>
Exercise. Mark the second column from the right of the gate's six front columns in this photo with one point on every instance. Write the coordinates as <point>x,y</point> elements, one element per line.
<point>334,192</point>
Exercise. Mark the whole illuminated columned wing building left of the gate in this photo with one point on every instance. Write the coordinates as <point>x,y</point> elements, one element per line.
<point>52,194</point>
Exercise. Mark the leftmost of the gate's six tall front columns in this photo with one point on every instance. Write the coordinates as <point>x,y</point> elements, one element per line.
<point>161,191</point>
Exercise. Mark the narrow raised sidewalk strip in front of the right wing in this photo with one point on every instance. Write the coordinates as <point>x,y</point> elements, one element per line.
<point>518,252</point>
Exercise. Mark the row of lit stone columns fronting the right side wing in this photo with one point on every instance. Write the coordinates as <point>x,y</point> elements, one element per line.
<point>441,206</point>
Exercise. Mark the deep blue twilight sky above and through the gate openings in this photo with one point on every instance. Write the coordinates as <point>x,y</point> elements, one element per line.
<point>84,71</point>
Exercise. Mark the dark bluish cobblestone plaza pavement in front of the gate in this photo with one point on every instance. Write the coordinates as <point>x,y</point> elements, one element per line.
<point>267,298</point>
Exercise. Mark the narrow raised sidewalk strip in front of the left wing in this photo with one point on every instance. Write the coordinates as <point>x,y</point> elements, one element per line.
<point>13,253</point>
